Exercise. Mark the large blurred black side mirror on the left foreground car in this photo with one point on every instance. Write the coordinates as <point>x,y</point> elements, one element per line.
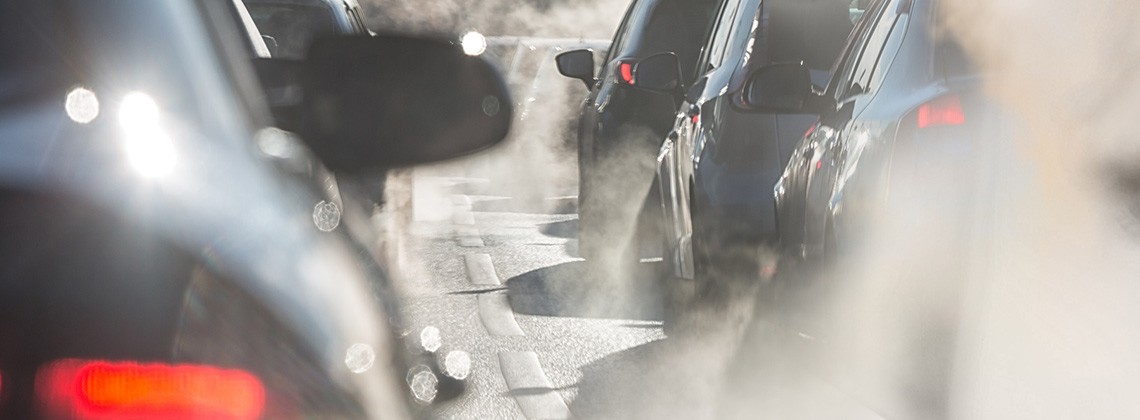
<point>392,101</point>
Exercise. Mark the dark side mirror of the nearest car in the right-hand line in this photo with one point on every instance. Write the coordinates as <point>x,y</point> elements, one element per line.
<point>784,88</point>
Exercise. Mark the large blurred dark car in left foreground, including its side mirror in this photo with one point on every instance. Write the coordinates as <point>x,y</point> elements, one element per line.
<point>166,252</point>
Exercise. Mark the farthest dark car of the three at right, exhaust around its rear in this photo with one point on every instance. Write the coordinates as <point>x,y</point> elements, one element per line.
<point>621,126</point>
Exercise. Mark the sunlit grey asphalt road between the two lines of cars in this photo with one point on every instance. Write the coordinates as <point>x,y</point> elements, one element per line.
<point>551,337</point>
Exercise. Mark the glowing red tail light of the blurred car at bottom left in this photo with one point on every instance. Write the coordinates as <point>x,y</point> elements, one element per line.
<point>99,390</point>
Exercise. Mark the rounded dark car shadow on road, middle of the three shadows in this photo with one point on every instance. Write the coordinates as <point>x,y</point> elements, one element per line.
<point>571,289</point>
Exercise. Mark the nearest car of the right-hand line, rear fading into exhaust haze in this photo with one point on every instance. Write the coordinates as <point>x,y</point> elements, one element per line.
<point>899,130</point>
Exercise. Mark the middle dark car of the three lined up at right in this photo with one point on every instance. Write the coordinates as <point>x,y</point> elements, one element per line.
<point>719,165</point>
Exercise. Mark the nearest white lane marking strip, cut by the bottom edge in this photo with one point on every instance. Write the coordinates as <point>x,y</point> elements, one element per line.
<point>532,390</point>
